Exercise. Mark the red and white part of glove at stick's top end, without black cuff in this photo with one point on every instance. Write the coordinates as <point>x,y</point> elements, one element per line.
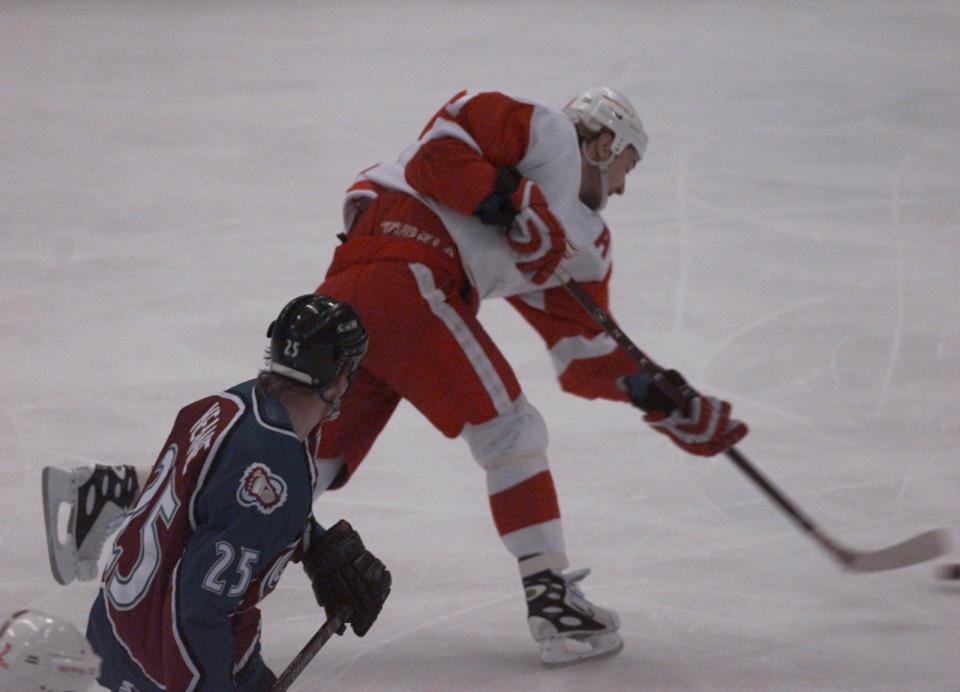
<point>535,233</point>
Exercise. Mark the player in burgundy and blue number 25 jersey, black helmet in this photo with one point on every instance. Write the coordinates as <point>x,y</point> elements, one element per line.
<point>224,509</point>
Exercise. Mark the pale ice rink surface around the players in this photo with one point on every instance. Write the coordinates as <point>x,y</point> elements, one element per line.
<point>172,173</point>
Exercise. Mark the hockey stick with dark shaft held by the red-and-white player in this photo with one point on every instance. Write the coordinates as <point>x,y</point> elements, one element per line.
<point>920,548</point>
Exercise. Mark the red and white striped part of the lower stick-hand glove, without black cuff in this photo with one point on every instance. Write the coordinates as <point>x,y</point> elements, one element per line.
<point>705,430</point>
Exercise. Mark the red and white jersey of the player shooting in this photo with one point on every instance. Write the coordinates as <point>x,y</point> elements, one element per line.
<point>450,169</point>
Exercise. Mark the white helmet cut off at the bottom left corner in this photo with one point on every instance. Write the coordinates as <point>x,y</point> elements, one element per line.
<point>44,653</point>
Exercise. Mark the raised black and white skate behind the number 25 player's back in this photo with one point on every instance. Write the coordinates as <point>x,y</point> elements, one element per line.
<point>98,497</point>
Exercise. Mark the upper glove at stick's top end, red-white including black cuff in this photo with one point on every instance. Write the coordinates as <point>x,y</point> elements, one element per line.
<point>532,230</point>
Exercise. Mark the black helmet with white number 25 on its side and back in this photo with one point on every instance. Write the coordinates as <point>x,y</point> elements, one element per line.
<point>314,339</point>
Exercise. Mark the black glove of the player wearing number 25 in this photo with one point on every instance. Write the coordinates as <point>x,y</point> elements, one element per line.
<point>345,573</point>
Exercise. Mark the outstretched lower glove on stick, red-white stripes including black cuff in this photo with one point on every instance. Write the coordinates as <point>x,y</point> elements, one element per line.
<point>706,428</point>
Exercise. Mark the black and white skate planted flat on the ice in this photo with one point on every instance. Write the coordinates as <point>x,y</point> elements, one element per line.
<point>568,627</point>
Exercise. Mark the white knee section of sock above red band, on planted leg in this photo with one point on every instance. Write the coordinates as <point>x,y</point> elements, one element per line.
<point>520,430</point>
